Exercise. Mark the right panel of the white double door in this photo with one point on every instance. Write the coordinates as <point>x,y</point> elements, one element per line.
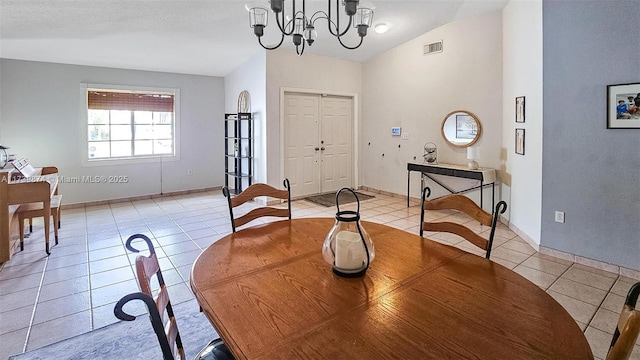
<point>336,134</point>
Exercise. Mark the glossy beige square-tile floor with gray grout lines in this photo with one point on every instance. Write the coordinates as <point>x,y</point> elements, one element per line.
<point>73,291</point>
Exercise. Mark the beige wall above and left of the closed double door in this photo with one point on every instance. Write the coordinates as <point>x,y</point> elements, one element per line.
<point>309,72</point>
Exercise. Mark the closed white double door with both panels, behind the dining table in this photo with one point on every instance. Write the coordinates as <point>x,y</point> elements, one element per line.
<point>318,143</point>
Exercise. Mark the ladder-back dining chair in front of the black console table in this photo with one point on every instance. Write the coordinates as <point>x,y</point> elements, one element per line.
<point>467,206</point>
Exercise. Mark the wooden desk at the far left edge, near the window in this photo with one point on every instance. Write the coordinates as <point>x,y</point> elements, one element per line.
<point>13,193</point>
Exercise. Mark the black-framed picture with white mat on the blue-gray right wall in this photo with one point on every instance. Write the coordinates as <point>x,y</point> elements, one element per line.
<point>623,106</point>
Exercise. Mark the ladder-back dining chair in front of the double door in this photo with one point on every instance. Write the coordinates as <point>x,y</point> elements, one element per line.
<point>252,192</point>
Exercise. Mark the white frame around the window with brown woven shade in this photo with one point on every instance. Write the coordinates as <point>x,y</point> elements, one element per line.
<point>84,126</point>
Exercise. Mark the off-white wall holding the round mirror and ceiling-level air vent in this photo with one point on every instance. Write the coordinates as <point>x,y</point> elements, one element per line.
<point>402,87</point>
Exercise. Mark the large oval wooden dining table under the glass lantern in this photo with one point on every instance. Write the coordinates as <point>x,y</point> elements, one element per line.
<point>270,295</point>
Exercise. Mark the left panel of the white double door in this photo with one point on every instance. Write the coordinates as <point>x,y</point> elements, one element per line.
<point>301,117</point>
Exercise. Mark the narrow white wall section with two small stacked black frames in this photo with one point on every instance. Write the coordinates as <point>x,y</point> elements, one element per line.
<point>522,76</point>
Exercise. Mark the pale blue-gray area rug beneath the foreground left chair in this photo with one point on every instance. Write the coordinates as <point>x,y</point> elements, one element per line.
<point>130,339</point>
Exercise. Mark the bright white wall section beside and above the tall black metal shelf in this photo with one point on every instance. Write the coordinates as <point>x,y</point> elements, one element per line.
<point>251,76</point>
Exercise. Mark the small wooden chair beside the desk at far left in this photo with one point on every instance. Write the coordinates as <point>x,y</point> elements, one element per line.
<point>32,210</point>
